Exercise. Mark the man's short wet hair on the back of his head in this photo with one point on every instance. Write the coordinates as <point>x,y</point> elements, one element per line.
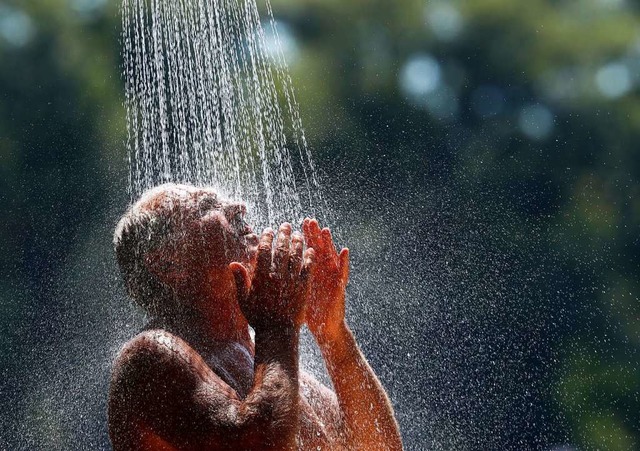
<point>146,226</point>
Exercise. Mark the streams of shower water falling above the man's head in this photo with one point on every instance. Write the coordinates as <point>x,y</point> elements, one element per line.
<point>207,106</point>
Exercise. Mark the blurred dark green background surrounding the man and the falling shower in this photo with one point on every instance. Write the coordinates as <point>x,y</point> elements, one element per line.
<point>495,273</point>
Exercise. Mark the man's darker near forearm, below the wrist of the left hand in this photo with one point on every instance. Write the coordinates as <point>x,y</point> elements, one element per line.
<point>272,406</point>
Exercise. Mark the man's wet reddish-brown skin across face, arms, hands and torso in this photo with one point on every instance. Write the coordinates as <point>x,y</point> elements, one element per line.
<point>194,380</point>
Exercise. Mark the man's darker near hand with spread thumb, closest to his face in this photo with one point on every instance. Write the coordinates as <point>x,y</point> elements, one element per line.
<point>275,297</point>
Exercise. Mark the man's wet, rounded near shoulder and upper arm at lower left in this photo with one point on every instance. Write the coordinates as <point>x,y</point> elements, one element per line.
<point>161,383</point>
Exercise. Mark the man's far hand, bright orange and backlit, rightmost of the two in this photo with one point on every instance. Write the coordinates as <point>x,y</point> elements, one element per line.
<point>329,276</point>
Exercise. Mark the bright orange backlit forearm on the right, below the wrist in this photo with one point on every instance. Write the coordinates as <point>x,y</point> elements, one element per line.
<point>367,412</point>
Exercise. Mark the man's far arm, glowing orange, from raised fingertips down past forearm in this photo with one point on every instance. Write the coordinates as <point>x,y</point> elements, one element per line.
<point>367,413</point>
